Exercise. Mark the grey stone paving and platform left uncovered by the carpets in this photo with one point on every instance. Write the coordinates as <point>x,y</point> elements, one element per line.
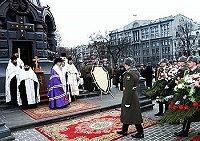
<point>23,127</point>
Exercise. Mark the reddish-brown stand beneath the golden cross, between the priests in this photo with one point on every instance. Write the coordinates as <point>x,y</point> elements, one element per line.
<point>43,87</point>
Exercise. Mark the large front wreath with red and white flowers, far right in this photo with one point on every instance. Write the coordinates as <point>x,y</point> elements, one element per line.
<point>185,102</point>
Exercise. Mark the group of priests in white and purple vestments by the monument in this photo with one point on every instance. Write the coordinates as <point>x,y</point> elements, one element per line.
<point>22,85</point>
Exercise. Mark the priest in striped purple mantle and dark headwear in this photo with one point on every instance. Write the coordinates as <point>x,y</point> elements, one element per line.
<point>57,94</point>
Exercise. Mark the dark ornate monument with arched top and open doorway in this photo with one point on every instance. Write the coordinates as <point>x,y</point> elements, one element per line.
<point>27,28</point>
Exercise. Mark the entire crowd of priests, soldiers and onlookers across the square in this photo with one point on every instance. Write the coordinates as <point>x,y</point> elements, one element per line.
<point>22,88</point>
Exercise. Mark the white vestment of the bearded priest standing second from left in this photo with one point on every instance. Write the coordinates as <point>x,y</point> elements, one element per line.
<point>30,77</point>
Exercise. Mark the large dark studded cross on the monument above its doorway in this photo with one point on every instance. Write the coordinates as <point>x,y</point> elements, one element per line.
<point>21,26</point>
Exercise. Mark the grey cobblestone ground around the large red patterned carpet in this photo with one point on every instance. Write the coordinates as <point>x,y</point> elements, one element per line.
<point>154,133</point>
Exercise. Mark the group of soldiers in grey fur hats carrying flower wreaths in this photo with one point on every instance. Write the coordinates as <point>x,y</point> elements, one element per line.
<point>176,89</point>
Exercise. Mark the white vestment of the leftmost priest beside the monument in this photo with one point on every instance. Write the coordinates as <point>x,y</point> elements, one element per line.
<point>11,71</point>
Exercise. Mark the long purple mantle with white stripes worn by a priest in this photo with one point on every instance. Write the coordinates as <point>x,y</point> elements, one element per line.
<point>57,97</point>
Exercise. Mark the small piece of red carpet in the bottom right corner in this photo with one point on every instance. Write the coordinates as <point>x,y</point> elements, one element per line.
<point>193,136</point>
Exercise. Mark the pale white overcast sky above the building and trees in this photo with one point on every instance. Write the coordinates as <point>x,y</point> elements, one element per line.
<point>76,20</point>
